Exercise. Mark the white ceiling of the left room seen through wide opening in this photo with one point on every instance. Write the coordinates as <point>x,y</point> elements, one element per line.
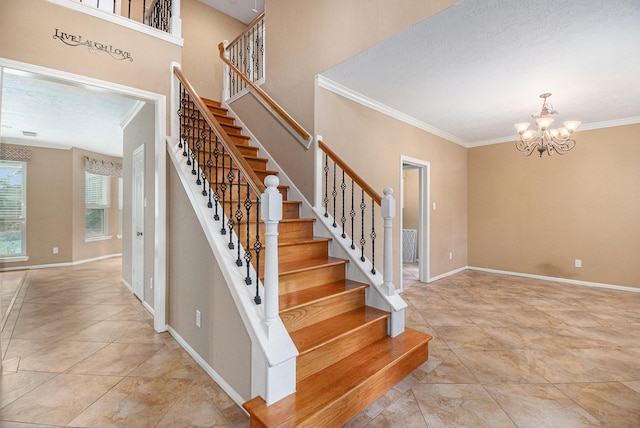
<point>62,115</point>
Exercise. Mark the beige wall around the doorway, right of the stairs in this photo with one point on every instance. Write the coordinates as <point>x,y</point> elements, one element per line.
<point>372,144</point>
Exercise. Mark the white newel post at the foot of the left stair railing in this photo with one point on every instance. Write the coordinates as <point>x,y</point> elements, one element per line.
<point>271,214</point>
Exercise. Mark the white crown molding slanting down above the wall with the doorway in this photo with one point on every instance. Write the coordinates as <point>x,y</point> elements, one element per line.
<point>343,91</point>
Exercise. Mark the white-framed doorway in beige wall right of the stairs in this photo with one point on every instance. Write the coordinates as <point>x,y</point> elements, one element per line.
<point>414,218</point>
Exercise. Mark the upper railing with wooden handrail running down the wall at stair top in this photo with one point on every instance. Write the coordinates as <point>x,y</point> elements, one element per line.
<point>244,70</point>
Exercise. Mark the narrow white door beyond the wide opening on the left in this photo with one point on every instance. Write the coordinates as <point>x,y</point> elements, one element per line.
<point>138,205</point>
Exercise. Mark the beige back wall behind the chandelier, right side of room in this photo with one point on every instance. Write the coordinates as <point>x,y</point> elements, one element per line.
<point>537,215</point>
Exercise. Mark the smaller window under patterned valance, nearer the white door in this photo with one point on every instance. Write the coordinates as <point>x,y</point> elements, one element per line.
<point>96,200</point>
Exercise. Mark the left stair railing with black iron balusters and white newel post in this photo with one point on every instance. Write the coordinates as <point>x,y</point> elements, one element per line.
<point>232,188</point>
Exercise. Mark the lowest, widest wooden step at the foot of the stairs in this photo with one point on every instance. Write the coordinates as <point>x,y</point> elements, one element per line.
<point>321,392</point>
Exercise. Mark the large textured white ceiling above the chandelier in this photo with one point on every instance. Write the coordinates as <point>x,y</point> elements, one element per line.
<point>475,69</point>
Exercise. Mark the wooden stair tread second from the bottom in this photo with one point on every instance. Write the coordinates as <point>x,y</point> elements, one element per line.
<point>309,338</point>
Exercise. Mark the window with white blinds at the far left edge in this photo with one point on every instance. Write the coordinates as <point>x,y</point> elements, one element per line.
<point>13,204</point>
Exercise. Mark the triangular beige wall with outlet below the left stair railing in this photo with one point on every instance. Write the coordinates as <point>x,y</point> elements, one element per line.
<point>196,283</point>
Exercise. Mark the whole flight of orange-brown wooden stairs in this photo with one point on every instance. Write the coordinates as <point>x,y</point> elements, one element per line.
<point>346,359</point>
